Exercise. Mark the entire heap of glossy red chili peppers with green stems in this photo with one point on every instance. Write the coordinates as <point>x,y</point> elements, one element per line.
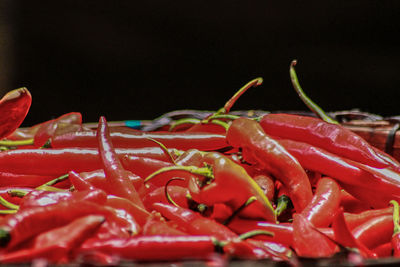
<point>279,187</point>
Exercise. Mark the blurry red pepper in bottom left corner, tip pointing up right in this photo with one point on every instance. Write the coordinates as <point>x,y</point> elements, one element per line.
<point>56,245</point>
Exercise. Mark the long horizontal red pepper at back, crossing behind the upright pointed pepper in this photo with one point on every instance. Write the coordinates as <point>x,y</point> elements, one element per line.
<point>129,138</point>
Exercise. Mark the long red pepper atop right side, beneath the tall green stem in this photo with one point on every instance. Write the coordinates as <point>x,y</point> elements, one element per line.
<point>331,137</point>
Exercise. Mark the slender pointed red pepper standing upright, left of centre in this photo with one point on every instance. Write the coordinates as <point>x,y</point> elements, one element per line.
<point>116,175</point>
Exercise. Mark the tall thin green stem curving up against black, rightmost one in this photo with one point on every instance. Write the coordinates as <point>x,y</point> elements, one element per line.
<point>309,103</point>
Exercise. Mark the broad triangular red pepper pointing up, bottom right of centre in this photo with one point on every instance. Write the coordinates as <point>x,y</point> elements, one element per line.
<point>310,242</point>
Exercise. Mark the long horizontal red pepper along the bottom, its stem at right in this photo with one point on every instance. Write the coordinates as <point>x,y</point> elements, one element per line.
<point>155,248</point>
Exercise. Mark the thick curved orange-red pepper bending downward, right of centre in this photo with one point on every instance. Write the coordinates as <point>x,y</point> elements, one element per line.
<point>266,152</point>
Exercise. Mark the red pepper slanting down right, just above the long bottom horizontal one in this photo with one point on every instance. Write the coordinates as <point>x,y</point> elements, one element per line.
<point>194,223</point>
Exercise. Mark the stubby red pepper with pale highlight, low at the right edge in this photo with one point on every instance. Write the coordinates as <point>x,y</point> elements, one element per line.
<point>375,232</point>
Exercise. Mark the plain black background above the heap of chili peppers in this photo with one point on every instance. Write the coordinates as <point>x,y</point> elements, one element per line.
<point>139,59</point>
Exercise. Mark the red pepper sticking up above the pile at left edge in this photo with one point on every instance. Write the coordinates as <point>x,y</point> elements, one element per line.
<point>15,104</point>
